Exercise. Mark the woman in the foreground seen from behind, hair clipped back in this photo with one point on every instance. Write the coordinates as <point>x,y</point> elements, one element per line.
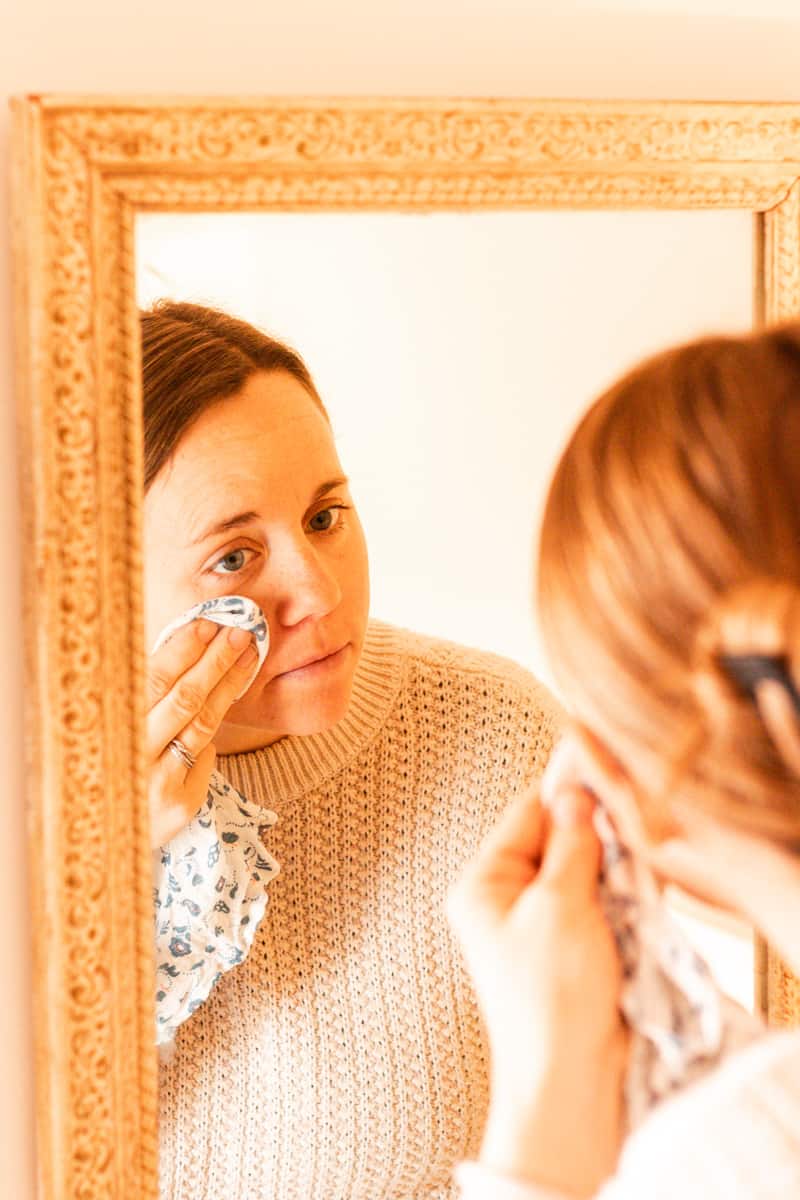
<point>670,602</point>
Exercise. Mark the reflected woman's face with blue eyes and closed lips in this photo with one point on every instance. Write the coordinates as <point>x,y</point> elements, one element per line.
<point>255,502</point>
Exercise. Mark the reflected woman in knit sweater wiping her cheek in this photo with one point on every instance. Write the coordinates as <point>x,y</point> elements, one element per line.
<point>345,1058</point>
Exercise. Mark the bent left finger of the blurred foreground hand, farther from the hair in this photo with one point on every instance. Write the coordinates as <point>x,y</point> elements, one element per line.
<point>504,867</point>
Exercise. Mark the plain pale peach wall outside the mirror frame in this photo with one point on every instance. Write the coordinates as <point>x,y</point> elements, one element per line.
<point>660,50</point>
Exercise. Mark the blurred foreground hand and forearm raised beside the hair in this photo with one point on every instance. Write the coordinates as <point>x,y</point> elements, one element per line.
<point>549,977</point>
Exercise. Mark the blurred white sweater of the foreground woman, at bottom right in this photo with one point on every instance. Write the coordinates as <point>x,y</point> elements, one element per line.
<point>733,1137</point>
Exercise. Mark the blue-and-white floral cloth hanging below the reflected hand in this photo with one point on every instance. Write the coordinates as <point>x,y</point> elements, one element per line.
<point>210,897</point>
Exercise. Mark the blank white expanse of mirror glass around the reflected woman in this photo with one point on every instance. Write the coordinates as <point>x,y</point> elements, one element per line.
<point>455,352</point>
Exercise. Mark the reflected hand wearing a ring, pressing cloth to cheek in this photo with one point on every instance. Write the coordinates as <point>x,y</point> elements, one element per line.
<point>193,682</point>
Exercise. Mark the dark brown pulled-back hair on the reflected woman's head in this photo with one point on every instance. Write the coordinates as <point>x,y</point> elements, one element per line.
<point>194,357</point>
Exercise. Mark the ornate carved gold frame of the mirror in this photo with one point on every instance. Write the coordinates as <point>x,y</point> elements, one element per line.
<point>85,167</point>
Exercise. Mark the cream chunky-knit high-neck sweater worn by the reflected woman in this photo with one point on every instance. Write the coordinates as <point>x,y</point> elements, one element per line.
<point>345,1059</point>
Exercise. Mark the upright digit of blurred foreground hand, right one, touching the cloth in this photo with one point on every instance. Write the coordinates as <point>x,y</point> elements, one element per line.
<point>573,855</point>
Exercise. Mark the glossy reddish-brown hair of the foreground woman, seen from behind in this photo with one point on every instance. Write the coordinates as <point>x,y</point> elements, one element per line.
<point>671,549</point>
